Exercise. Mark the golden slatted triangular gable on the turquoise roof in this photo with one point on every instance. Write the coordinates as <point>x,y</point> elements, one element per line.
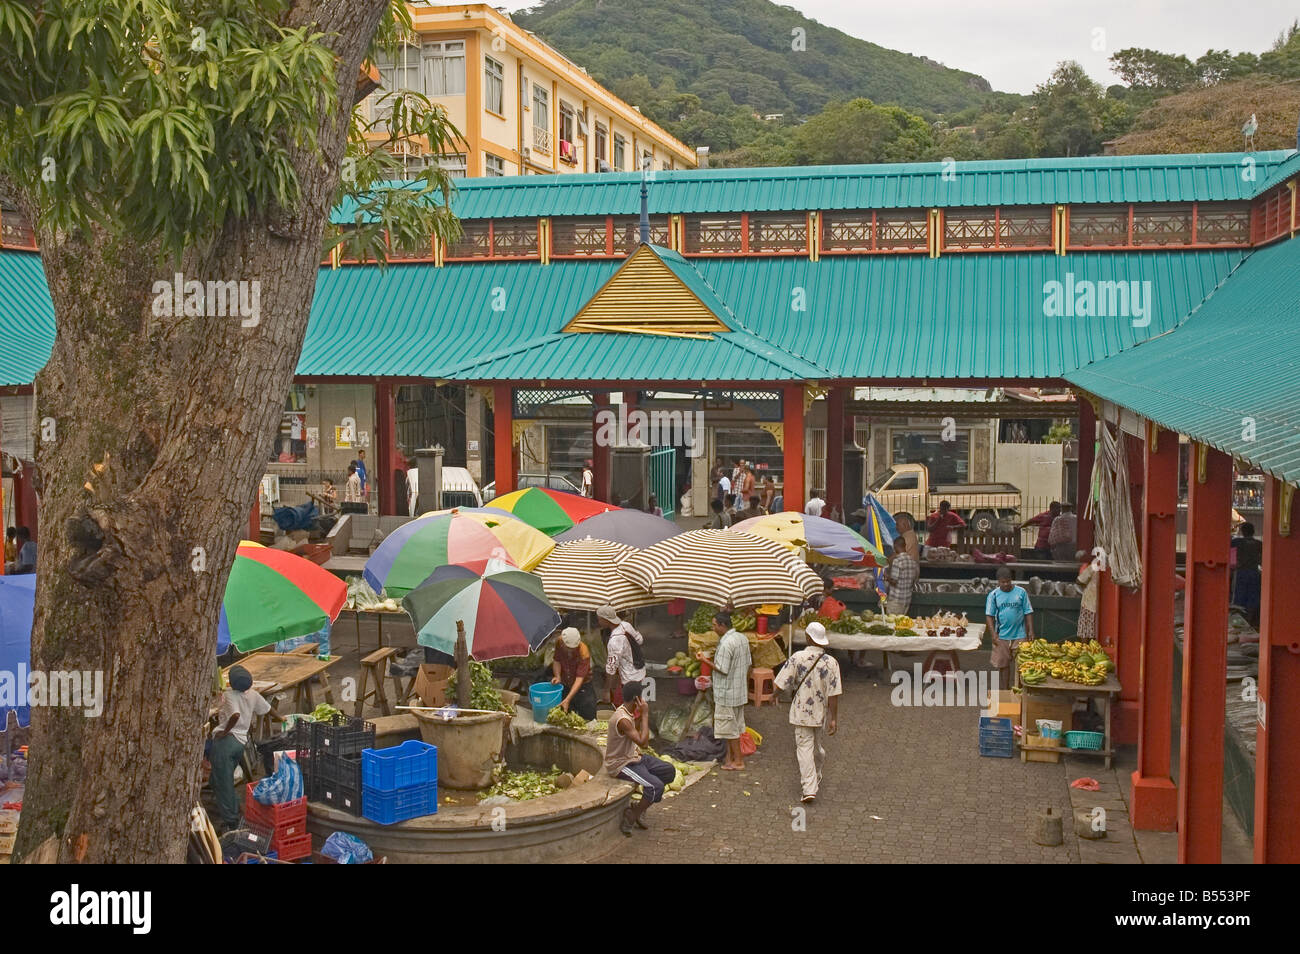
<point>644,297</point>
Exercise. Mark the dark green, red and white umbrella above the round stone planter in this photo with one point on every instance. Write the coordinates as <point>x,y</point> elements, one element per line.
<point>504,610</point>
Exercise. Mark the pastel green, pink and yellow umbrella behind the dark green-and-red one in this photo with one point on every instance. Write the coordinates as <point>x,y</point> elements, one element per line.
<point>408,556</point>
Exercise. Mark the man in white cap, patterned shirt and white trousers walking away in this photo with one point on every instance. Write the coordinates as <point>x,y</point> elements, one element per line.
<point>814,675</point>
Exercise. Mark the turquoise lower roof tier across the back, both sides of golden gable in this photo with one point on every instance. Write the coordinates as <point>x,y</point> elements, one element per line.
<point>887,316</point>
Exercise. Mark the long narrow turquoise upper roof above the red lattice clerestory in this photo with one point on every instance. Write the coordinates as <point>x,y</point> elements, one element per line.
<point>1202,177</point>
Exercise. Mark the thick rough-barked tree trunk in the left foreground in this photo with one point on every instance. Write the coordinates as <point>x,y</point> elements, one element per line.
<point>163,431</point>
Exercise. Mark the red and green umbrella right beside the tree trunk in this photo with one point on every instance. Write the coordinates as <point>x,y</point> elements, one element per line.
<point>274,596</point>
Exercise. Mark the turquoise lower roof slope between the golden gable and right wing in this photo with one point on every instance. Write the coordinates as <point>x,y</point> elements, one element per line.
<point>907,316</point>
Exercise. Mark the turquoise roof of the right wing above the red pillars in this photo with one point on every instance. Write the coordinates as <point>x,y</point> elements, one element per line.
<point>1234,362</point>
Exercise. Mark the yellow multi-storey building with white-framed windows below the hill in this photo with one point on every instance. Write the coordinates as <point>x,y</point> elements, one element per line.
<point>522,107</point>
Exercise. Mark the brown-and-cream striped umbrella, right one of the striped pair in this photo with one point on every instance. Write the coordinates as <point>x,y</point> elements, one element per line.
<point>723,569</point>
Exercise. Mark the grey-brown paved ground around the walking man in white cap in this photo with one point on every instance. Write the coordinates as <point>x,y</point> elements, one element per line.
<point>902,786</point>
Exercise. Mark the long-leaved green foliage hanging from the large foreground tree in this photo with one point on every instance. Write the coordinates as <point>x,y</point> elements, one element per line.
<point>166,120</point>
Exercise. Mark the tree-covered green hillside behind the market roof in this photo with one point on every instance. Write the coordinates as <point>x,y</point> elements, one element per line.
<point>740,77</point>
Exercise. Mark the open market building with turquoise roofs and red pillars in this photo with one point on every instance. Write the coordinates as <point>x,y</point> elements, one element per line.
<point>1158,289</point>
